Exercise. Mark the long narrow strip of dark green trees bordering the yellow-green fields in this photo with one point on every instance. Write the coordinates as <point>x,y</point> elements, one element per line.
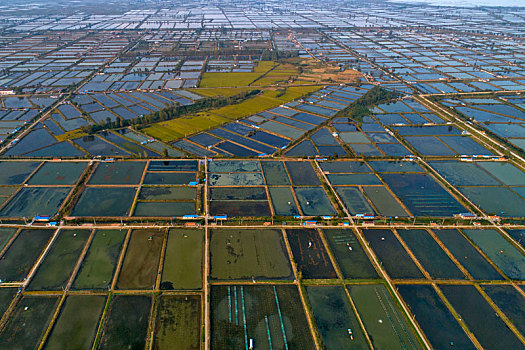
<point>170,112</point>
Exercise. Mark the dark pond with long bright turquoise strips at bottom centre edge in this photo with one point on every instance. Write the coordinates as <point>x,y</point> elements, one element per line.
<point>267,314</point>
